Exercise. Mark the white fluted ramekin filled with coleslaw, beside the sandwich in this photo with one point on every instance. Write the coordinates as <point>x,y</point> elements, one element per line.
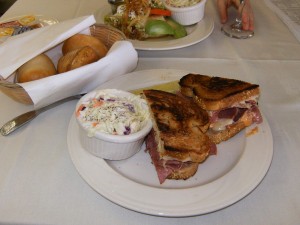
<point>113,123</point>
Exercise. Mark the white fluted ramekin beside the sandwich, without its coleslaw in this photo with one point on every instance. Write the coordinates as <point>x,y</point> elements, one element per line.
<point>111,146</point>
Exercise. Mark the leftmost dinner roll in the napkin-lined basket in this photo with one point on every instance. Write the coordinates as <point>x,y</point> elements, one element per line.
<point>39,67</point>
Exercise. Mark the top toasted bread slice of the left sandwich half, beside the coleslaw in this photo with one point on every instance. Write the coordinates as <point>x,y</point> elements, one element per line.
<point>179,125</point>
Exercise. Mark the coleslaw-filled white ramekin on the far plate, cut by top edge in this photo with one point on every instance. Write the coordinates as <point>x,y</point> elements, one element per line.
<point>186,12</point>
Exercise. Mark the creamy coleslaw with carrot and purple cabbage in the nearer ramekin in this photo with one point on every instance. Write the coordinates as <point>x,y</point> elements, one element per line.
<point>112,114</point>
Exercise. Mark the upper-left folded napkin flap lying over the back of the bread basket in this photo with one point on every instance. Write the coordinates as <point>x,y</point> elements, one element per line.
<point>21,48</point>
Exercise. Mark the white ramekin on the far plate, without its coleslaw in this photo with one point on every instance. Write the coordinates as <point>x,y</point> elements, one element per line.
<point>187,15</point>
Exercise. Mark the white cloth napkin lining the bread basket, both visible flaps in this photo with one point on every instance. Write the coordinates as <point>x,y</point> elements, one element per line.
<point>120,59</point>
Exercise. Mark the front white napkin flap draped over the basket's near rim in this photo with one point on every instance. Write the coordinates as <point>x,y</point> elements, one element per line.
<point>121,58</point>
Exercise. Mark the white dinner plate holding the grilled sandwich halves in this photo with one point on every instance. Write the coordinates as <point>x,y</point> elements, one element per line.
<point>223,179</point>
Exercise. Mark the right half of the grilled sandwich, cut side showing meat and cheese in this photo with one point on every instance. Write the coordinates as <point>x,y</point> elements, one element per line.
<point>231,104</point>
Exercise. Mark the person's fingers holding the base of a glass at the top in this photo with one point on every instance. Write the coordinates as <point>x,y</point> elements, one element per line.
<point>247,13</point>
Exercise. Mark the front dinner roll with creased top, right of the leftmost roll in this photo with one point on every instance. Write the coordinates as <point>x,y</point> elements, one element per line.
<point>77,58</point>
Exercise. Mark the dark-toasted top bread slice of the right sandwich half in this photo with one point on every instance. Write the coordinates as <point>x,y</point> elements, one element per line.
<point>215,93</point>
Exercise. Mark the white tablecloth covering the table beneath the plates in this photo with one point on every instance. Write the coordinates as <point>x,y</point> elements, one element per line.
<point>40,185</point>
